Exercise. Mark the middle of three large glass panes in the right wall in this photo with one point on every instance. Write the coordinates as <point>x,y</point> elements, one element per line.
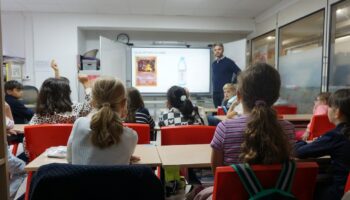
<point>300,60</point>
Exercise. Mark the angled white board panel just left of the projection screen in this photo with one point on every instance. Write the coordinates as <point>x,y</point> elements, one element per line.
<point>113,58</point>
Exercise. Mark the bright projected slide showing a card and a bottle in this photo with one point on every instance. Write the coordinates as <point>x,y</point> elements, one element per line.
<point>155,70</point>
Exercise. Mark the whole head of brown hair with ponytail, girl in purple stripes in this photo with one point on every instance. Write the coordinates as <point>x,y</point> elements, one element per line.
<point>265,141</point>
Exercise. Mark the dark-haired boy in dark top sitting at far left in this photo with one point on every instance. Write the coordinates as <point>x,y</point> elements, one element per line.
<point>21,114</point>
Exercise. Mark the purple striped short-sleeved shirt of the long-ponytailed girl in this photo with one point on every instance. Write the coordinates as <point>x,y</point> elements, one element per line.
<point>228,137</point>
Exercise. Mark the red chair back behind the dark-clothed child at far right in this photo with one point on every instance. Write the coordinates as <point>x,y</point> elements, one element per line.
<point>319,125</point>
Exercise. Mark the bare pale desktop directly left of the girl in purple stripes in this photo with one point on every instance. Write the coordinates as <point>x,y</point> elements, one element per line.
<point>196,155</point>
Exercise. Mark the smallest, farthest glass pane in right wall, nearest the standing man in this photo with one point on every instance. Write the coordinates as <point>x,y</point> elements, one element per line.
<point>263,48</point>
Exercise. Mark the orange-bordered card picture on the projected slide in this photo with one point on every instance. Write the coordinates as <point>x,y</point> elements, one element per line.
<point>146,70</point>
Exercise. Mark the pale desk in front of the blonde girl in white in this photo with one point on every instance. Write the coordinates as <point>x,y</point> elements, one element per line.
<point>147,153</point>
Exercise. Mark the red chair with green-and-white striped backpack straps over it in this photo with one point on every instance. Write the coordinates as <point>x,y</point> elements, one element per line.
<point>228,186</point>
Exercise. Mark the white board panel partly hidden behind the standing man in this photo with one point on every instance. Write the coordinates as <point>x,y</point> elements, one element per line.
<point>236,51</point>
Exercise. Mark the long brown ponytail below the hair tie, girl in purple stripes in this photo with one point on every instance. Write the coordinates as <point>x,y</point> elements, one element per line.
<point>264,138</point>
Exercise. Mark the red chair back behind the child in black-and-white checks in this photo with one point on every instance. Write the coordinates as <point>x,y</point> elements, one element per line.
<point>191,134</point>
